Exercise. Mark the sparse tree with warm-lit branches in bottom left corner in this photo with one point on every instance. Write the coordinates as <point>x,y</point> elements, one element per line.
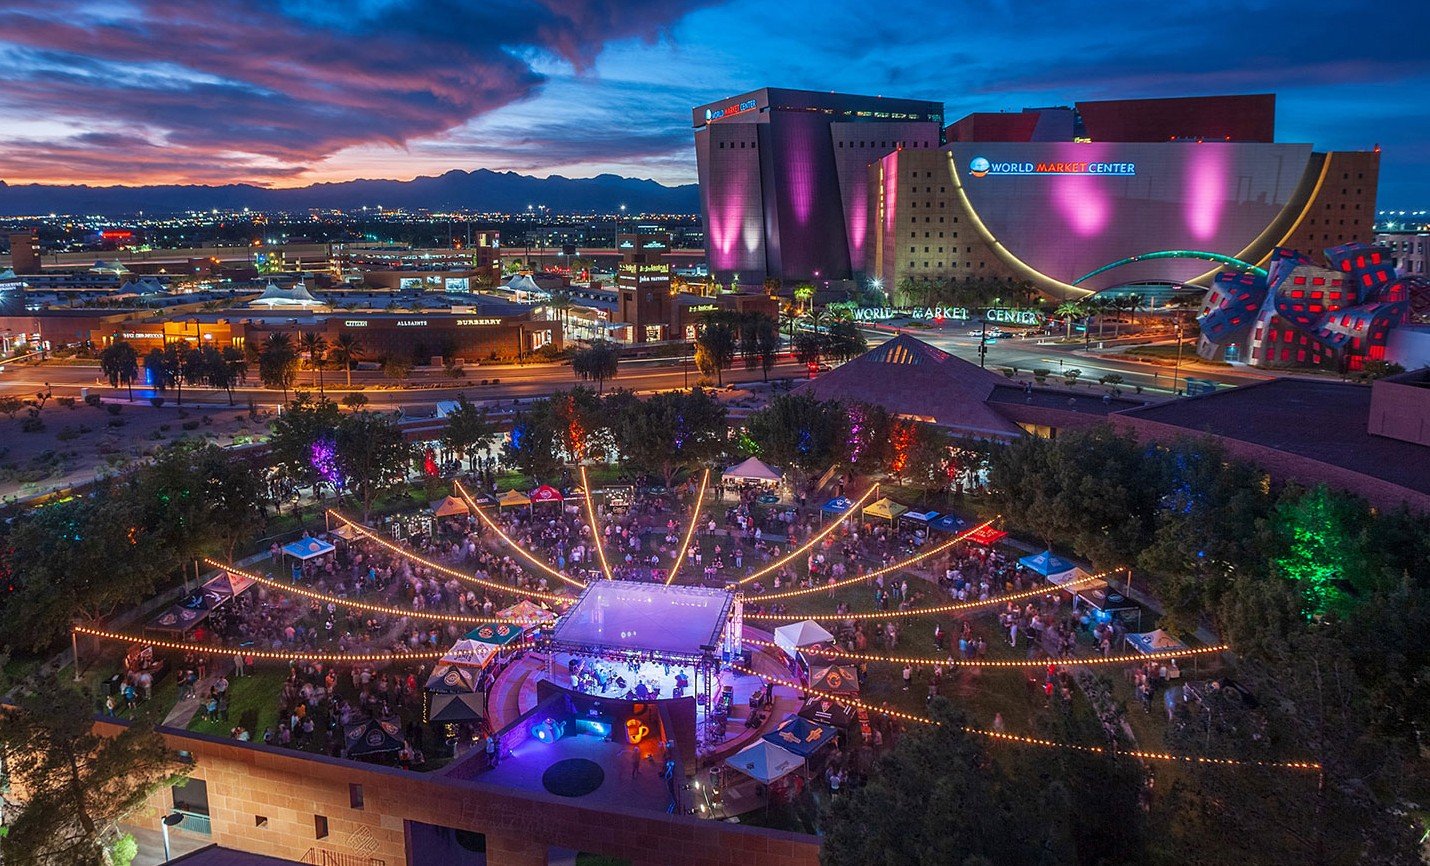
<point>78,785</point>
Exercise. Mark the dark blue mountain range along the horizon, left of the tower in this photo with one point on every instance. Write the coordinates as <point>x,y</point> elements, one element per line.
<point>481,191</point>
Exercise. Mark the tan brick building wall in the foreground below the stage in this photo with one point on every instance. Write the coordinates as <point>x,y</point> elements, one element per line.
<point>290,790</point>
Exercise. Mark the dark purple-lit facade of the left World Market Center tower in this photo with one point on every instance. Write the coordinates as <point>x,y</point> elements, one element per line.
<point>784,182</point>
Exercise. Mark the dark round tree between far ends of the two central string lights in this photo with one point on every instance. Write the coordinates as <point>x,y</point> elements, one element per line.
<point>670,432</point>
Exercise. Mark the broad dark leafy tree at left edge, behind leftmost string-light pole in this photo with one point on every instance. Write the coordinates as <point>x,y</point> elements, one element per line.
<point>79,559</point>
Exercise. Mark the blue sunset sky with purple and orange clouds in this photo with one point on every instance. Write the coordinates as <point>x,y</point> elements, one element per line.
<point>295,92</point>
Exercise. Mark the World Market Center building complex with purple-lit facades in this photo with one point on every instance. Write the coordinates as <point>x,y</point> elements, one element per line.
<point>1149,196</point>
